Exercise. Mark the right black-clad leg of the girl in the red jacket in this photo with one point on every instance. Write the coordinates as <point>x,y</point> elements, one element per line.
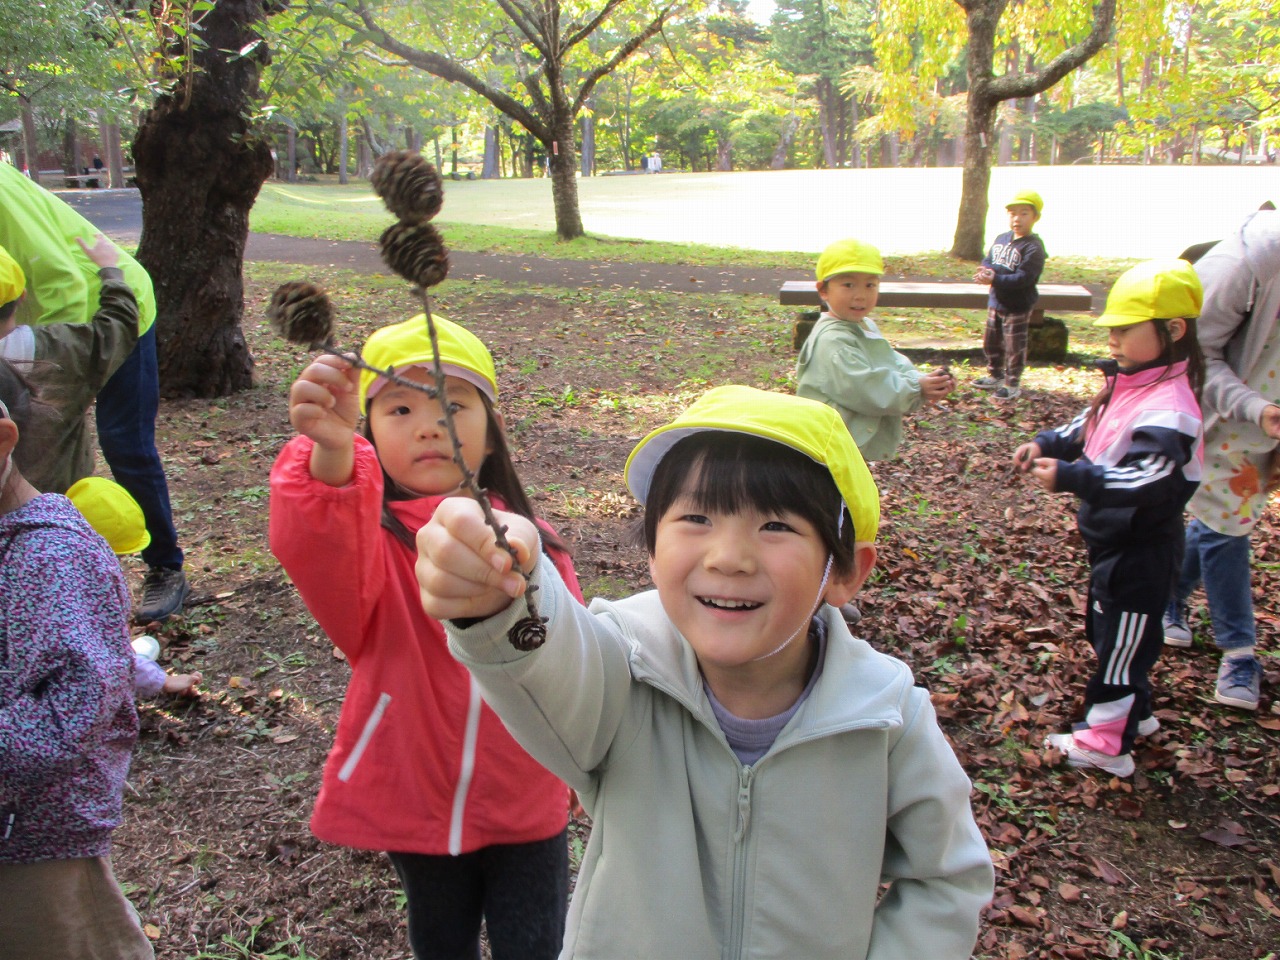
<point>527,898</point>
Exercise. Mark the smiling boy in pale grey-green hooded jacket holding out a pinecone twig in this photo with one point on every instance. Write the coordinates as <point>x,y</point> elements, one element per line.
<point>755,772</point>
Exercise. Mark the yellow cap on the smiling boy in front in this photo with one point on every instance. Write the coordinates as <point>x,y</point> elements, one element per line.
<point>804,426</point>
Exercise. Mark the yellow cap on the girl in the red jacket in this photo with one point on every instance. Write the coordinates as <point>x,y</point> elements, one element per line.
<point>408,345</point>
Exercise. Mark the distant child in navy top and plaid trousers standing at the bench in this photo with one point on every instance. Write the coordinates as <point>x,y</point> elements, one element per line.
<point>1012,267</point>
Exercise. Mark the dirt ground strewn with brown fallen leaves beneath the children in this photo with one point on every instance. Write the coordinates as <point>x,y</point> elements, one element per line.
<point>980,588</point>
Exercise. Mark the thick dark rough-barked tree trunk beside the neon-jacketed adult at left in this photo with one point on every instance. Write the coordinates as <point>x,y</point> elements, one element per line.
<point>200,168</point>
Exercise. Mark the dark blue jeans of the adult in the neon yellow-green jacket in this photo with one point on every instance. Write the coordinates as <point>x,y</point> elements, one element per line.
<point>127,408</point>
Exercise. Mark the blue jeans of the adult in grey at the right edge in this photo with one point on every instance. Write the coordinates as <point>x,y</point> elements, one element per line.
<point>1223,564</point>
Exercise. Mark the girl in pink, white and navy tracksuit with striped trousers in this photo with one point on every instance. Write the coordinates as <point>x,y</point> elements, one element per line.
<point>1135,460</point>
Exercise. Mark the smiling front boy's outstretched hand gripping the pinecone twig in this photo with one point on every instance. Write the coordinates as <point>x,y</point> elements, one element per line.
<point>461,570</point>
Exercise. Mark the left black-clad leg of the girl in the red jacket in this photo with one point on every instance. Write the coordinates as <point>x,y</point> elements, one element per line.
<point>445,899</point>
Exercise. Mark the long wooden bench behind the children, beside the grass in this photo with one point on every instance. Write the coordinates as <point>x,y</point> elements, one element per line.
<point>948,296</point>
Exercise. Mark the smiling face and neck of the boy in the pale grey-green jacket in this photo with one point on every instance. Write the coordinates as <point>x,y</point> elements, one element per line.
<point>739,587</point>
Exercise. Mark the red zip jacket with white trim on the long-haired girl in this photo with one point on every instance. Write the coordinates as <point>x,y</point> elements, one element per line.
<point>420,765</point>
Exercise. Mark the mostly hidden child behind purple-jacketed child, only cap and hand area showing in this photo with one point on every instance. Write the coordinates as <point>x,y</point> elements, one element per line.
<point>117,518</point>
